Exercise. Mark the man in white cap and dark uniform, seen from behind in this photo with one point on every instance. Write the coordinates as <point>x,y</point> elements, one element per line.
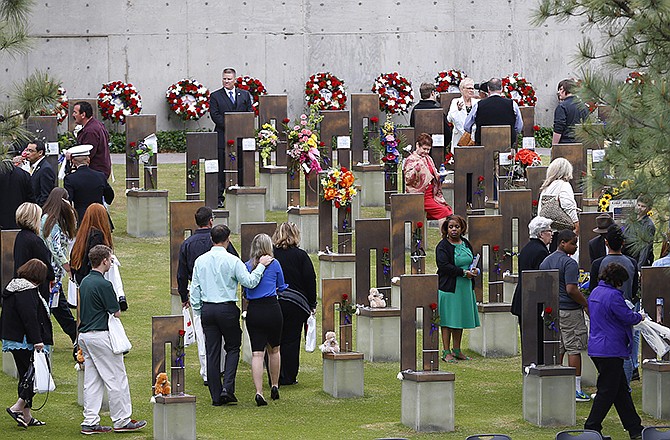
<point>86,186</point>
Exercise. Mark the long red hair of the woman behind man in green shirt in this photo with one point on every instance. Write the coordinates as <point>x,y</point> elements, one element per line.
<point>94,229</point>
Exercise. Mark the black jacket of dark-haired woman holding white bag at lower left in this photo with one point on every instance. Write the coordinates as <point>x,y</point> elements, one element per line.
<point>24,314</point>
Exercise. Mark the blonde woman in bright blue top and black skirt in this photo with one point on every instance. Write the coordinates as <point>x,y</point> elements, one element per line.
<point>264,317</point>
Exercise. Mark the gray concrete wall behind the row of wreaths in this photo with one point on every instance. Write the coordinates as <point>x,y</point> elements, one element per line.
<point>155,43</point>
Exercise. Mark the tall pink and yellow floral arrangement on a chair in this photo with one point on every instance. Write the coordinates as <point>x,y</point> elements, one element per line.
<point>303,142</point>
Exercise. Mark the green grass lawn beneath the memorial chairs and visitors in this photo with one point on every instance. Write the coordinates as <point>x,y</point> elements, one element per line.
<point>488,391</point>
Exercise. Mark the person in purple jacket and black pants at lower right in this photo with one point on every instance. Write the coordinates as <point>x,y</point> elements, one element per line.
<point>610,339</point>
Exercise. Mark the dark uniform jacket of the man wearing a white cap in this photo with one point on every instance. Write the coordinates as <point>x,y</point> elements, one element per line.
<point>85,187</point>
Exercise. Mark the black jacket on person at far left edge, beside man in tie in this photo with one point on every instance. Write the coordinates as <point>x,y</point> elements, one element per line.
<point>15,189</point>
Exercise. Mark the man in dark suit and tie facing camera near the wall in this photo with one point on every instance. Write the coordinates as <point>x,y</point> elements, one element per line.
<point>225,100</point>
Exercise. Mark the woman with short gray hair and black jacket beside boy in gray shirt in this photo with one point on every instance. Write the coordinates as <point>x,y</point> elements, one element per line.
<point>531,255</point>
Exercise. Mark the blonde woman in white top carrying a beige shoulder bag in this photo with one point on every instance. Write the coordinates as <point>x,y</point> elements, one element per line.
<point>557,184</point>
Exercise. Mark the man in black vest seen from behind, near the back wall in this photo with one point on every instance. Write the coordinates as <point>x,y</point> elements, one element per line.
<point>494,110</point>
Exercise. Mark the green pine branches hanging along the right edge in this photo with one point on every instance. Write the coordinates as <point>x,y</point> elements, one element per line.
<point>623,36</point>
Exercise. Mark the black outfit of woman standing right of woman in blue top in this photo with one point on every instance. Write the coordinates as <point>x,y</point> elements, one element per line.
<point>300,276</point>
